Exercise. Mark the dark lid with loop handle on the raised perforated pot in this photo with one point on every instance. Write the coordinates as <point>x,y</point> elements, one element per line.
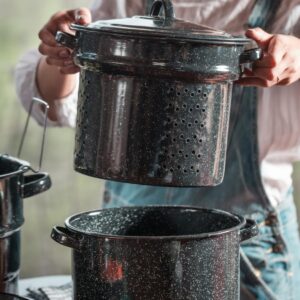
<point>163,25</point>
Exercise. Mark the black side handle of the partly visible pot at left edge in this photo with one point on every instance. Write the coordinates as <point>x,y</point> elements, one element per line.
<point>35,184</point>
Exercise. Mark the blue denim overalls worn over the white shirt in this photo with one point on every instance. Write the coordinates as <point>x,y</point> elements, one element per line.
<point>270,263</point>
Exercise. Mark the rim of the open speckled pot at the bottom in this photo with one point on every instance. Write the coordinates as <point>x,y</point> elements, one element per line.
<point>242,223</point>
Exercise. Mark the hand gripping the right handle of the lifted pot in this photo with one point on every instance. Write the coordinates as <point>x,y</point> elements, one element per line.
<point>280,64</point>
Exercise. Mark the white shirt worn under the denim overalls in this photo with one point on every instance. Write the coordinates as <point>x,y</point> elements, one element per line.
<point>278,107</point>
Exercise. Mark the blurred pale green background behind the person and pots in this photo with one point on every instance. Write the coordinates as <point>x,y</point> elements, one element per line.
<point>71,192</point>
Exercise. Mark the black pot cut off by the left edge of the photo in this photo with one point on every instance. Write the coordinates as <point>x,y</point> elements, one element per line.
<point>14,186</point>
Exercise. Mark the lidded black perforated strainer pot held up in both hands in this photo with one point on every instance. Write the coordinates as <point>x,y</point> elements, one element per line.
<point>154,98</point>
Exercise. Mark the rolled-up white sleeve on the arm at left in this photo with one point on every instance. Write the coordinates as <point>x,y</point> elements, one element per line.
<point>25,82</point>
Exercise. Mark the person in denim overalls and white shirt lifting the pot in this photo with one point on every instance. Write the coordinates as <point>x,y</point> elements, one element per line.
<point>264,135</point>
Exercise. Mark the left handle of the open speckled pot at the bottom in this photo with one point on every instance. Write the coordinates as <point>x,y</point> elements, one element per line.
<point>65,237</point>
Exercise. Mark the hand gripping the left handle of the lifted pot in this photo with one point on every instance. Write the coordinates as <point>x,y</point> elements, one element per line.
<point>57,55</point>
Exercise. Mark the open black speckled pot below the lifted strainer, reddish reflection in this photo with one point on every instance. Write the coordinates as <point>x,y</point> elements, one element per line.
<point>155,252</point>
